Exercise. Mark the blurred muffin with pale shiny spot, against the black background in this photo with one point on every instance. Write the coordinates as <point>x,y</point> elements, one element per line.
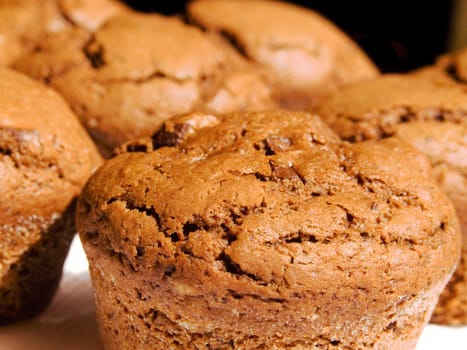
<point>308,54</point>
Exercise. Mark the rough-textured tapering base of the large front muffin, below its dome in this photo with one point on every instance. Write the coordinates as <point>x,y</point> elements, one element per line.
<point>130,317</point>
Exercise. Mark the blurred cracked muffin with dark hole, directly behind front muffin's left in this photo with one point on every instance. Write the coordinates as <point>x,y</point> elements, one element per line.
<point>123,83</point>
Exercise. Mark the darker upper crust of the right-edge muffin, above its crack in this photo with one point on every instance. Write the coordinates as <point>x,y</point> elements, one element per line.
<point>394,103</point>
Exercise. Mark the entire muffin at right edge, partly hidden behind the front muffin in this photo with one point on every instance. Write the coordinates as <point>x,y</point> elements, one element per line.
<point>429,111</point>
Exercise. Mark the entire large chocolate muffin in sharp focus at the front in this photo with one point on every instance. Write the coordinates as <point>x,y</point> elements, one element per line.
<point>265,231</point>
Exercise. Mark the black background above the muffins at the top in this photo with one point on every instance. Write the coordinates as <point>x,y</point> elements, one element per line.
<point>399,35</point>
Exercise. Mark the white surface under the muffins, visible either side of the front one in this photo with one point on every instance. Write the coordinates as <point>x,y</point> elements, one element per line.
<point>69,322</point>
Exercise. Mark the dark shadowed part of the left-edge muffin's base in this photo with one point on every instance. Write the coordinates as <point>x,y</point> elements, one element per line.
<point>29,285</point>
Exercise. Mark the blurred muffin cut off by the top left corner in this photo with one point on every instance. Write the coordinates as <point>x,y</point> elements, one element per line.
<point>24,22</point>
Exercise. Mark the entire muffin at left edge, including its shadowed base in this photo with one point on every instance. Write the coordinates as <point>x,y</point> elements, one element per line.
<point>45,158</point>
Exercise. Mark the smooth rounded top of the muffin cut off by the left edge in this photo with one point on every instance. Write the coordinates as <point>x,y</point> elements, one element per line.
<point>45,154</point>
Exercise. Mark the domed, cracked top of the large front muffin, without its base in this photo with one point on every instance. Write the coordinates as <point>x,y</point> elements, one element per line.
<point>256,203</point>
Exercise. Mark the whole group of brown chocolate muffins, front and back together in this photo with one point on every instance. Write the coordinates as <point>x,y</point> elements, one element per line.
<point>223,217</point>
